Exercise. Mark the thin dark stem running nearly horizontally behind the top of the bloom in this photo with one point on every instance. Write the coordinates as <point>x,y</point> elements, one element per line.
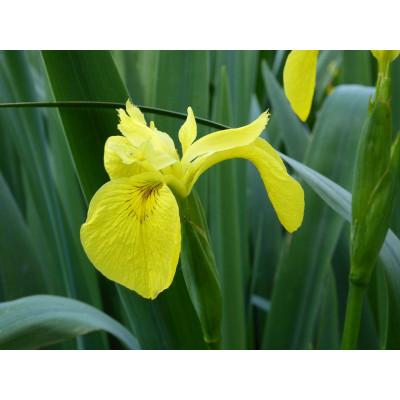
<point>106,104</point>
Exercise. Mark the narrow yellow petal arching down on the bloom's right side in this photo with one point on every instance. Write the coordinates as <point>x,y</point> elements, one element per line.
<point>285,193</point>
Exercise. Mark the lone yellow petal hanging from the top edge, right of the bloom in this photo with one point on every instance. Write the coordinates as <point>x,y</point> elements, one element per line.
<point>299,77</point>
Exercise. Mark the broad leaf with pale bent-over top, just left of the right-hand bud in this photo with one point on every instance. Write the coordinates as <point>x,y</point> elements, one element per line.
<point>307,256</point>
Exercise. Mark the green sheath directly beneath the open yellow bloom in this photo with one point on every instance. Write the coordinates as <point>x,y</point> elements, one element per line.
<point>199,269</point>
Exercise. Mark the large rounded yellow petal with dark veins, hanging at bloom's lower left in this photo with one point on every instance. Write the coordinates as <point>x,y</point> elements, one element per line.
<point>132,234</point>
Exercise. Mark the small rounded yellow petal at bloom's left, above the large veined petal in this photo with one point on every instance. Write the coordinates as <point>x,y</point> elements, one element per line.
<point>119,160</point>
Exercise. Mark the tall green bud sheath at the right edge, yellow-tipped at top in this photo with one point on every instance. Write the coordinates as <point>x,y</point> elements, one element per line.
<point>373,187</point>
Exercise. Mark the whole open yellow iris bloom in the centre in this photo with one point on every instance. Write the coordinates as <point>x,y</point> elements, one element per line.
<point>132,233</point>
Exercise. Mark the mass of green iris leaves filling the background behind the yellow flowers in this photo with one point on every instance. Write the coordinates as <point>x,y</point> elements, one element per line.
<point>279,291</point>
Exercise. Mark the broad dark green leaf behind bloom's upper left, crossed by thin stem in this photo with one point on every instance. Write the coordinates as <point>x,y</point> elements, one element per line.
<point>86,76</point>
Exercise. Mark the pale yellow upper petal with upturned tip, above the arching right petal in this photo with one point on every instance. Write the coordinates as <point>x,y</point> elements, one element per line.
<point>226,139</point>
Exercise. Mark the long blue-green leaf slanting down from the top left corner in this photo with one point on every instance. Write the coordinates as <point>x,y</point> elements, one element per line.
<point>26,129</point>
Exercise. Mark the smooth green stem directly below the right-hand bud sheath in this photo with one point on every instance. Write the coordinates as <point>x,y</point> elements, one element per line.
<point>352,321</point>
